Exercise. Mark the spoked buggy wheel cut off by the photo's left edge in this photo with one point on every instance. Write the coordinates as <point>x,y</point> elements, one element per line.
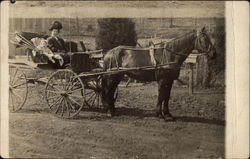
<point>18,89</point>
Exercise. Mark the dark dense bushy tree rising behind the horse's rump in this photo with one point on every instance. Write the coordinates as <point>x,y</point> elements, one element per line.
<point>112,32</point>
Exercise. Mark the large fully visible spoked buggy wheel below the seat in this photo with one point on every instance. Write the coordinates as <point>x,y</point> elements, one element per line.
<point>63,94</point>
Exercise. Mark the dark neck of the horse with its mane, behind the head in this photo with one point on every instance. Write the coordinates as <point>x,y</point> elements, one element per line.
<point>181,42</point>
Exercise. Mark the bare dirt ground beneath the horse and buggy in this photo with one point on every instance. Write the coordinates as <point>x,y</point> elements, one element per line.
<point>135,133</point>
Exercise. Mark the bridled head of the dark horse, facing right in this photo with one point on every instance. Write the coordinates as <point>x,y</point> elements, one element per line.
<point>203,43</point>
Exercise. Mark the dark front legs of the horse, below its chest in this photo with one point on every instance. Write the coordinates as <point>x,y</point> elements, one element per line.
<point>165,87</point>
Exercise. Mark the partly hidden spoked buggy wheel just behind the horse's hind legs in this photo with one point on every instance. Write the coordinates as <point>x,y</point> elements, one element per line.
<point>92,92</point>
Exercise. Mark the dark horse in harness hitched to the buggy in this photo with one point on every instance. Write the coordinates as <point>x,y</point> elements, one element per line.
<point>175,51</point>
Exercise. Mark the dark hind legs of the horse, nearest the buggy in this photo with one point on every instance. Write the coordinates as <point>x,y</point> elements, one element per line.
<point>109,86</point>
